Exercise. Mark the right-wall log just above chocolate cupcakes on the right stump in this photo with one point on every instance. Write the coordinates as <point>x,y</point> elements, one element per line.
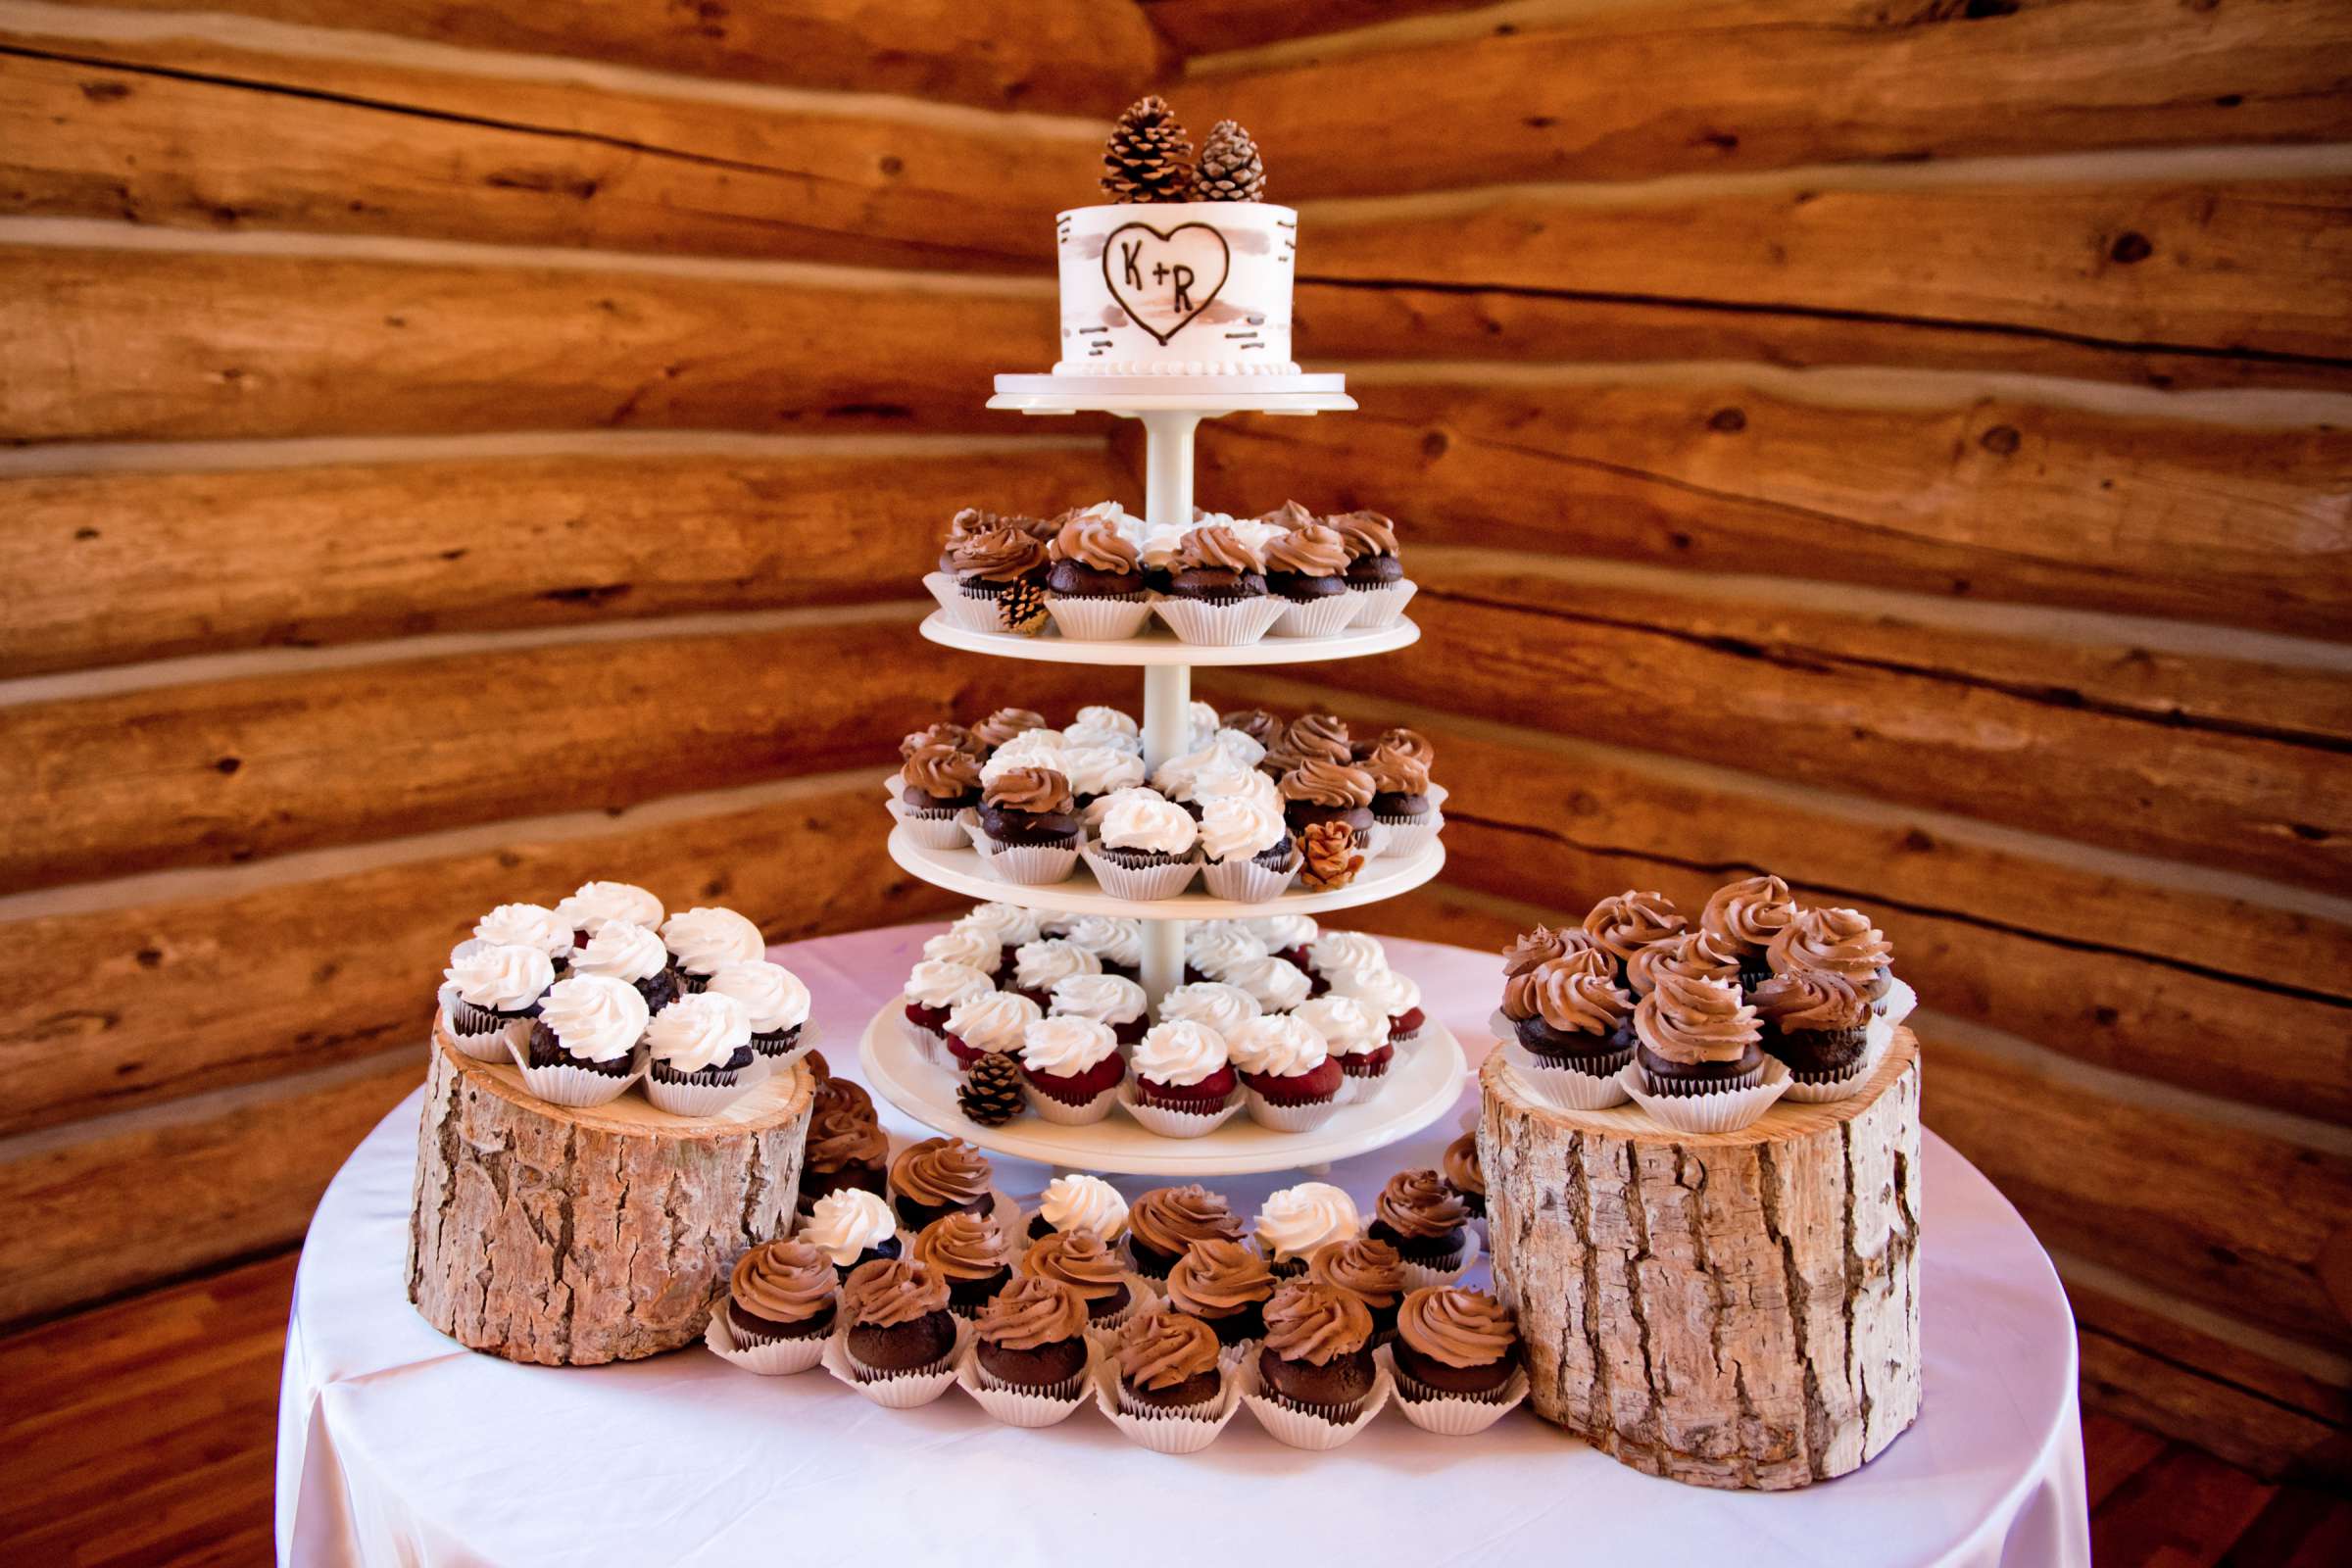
<point>2174,984</point>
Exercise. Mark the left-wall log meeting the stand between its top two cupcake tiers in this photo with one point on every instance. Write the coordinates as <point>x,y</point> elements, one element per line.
<point>250,768</point>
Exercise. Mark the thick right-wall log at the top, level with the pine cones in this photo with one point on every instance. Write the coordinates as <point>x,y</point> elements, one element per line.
<point>1629,93</point>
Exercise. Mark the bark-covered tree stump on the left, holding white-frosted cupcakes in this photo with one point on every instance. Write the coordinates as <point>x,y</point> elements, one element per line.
<point>592,1235</point>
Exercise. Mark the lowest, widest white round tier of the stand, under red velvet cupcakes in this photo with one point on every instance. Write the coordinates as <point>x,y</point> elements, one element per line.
<point>1424,1087</point>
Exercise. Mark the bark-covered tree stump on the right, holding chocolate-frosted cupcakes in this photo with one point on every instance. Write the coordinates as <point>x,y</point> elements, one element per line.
<point>1718,1308</point>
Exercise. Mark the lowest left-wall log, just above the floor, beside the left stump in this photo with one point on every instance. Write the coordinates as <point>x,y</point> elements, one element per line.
<point>152,1200</point>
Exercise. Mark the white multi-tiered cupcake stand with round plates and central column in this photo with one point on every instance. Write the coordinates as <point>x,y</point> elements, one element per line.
<point>1424,1083</point>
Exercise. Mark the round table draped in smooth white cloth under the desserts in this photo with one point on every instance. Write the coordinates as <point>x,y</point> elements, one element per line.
<point>401,1447</point>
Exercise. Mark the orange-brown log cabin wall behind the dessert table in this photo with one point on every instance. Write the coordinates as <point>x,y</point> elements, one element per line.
<point>457,450</point>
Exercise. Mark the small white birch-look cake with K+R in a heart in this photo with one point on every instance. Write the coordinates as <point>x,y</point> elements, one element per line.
<point>1177,290</point>
